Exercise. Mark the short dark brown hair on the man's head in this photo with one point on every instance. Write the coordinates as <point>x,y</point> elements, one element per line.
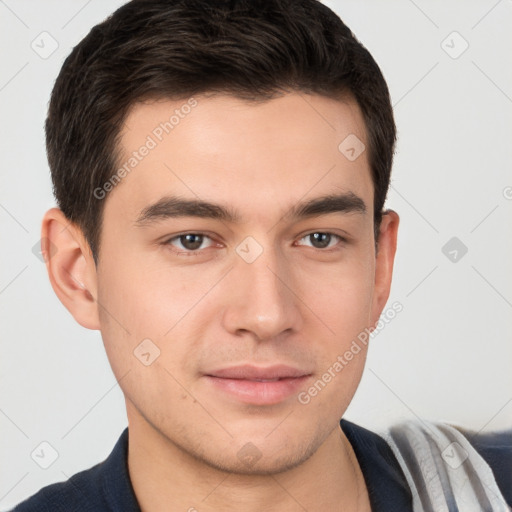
<point>252,49</point>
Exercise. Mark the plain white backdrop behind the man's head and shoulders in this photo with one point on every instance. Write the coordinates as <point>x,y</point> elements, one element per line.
<point>446,357</point>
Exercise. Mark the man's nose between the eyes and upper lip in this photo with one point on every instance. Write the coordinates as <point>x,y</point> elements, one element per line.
<point>262,298</point>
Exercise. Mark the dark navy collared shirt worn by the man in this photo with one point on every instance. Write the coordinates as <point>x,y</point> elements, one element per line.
<point>106,487</point>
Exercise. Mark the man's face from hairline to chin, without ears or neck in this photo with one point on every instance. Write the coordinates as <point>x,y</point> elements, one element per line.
<point>237,263</point>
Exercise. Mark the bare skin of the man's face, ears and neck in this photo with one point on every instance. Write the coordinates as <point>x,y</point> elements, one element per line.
<point>296,304</point>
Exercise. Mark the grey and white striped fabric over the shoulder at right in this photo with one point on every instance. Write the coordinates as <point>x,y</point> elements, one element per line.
<point>444,471</point>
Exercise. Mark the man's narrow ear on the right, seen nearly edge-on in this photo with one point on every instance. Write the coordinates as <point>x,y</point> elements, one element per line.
<point>385,258</point>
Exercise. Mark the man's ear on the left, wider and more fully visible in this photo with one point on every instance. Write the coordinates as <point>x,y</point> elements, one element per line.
<point>70,267</point>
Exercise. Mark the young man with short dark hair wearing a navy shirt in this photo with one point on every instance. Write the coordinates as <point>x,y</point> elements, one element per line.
<point>221,170</point>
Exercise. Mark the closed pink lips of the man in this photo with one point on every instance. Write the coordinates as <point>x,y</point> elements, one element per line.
<point>258,385</point>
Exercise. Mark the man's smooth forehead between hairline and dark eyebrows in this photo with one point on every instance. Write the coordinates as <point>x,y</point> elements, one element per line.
<point>253,155</point>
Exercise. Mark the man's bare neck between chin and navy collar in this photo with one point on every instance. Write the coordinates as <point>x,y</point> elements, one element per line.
<point>165,478</point>
